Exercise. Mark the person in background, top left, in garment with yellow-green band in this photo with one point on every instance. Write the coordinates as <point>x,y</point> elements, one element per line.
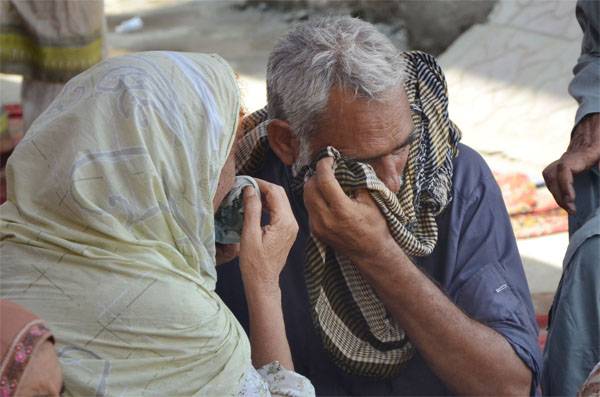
<point>48,42</point>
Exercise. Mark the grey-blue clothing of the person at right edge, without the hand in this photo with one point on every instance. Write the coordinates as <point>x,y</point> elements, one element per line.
<point>573,343</point>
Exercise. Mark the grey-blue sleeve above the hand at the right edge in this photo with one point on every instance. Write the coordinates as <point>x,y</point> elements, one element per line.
<point>586,80</point>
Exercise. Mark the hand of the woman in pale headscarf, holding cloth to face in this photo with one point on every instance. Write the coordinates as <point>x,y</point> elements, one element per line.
<point>264,250</point>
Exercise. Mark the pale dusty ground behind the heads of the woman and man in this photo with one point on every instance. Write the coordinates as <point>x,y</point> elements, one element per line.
<point>244,36</point>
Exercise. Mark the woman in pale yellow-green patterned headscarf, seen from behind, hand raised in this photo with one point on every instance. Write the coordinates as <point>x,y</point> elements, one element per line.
<point>108,234</point>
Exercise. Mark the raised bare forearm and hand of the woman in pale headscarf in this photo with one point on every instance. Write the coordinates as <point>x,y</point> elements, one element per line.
<point>263,253</point>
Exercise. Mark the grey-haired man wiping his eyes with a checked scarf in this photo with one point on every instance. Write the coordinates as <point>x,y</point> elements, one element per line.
<point>405,277</point>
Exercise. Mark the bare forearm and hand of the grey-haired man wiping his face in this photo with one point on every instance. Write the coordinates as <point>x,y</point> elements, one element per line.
<point>469,357</point>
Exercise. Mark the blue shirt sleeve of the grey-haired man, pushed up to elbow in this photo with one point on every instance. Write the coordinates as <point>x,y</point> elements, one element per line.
<point>490,284</point>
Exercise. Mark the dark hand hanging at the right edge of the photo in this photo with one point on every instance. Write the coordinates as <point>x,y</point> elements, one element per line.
<point>582,154</point>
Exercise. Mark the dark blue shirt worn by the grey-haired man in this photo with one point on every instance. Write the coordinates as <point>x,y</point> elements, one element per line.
<point>484,277</point>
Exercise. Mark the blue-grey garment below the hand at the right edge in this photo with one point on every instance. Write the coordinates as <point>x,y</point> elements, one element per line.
<point>573,344</point>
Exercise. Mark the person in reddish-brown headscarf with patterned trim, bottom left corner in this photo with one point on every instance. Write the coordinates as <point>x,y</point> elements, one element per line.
<point>29,363</point>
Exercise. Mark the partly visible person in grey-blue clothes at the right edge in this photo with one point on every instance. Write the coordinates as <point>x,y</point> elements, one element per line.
<point>573,344</point>
